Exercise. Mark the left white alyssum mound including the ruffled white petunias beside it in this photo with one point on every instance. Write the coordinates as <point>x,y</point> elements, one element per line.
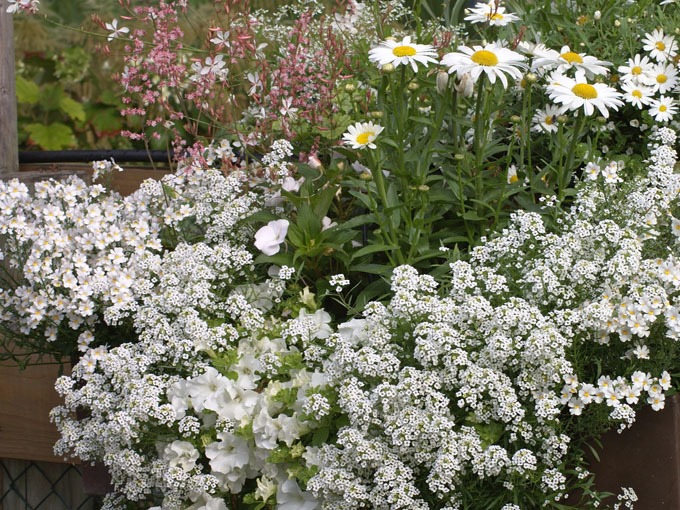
<point>212,390</point>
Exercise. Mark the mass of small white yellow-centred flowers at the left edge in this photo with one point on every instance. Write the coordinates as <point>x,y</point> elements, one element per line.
<point>70,250</point>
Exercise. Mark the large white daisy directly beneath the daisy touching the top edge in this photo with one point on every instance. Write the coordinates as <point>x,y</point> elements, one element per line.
<point>491,59</point>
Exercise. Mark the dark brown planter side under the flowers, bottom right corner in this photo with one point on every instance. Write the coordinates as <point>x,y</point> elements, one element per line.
<point>645,457</point>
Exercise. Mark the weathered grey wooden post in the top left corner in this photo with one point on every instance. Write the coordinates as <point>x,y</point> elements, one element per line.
<point>9,144</point>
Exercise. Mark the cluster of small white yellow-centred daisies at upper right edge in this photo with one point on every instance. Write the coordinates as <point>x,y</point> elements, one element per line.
<point>652,80</point>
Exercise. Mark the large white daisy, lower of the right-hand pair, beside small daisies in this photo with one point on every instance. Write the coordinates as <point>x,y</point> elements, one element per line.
<point>574,94</point>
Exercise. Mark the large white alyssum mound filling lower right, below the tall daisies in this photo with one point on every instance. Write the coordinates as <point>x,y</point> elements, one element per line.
<point>469,387</point>
